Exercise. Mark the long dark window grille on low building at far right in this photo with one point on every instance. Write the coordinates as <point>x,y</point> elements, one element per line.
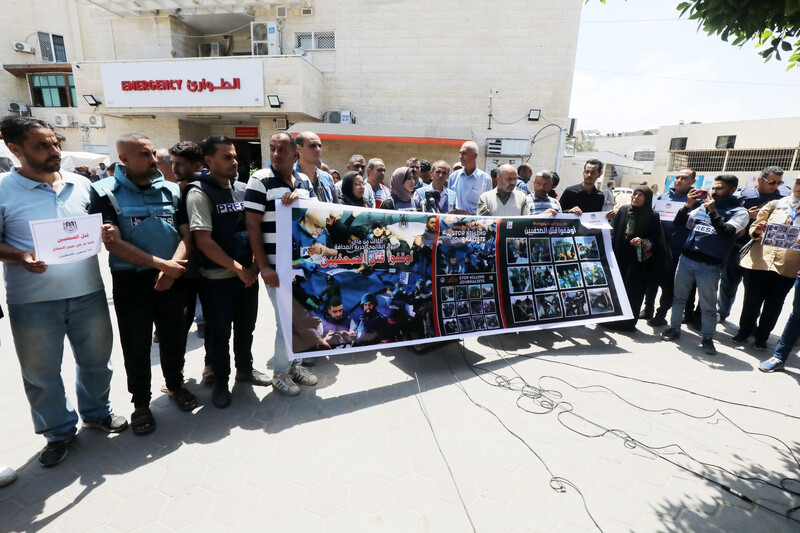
<point>744,160</point>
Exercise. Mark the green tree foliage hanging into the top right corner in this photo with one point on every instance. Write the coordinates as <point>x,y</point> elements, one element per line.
<point>774,25</point>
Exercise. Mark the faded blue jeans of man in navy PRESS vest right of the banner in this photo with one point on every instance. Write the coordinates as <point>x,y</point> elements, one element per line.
<point>706,276</point>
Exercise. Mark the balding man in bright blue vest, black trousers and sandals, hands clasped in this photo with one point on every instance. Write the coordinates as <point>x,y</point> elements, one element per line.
<point>147,251</point>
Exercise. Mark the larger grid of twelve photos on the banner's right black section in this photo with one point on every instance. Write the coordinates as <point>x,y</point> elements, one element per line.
<point>555,278</point>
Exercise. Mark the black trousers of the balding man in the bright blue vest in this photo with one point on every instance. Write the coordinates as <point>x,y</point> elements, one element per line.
<point>138,306</point>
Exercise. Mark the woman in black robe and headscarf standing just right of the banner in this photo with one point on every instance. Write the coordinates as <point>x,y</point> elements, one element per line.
<point>640,249</point>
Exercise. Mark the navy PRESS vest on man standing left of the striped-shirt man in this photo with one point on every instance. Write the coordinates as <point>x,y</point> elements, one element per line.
<point>229,228</point>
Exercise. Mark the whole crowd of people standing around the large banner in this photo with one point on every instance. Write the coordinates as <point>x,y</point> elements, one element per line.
<point>203,239</point>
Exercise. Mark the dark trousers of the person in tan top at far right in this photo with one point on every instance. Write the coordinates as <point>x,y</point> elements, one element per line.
<point>767,290</point>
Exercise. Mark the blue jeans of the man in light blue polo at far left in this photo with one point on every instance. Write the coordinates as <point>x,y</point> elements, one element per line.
<point>39,329</point>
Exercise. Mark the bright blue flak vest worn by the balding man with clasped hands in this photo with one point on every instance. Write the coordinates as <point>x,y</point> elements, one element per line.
<point>146,218</point>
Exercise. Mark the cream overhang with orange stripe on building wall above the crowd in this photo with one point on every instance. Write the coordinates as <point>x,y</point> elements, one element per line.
<point>441,135</point>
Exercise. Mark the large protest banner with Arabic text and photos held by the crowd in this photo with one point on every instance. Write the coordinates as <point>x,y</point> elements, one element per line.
<point>354,278</point>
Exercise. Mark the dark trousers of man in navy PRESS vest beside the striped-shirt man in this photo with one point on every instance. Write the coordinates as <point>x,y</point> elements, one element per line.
<point>229,302</point>
